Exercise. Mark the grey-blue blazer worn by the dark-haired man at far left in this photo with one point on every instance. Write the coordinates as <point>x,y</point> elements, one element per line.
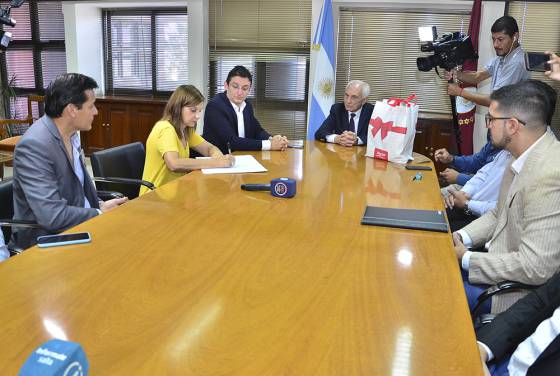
<point>46,189</point>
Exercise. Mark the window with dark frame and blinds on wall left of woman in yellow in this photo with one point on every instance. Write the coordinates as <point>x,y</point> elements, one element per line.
<point>146,51</point>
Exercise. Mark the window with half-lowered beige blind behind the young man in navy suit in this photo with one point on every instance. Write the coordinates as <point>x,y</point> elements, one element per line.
<point>271,39</point>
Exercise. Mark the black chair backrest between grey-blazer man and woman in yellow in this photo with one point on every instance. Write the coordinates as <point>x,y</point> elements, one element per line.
<point>125,161</point>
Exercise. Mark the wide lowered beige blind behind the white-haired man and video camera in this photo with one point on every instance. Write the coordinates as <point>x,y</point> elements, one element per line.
<point>380,46</point>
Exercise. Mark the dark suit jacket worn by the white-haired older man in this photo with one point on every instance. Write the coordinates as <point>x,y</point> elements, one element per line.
<point>338,122</point>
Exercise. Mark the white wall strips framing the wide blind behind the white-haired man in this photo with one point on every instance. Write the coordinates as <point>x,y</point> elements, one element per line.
<point>490,12</point>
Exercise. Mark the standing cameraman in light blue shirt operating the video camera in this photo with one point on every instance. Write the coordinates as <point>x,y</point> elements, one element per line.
<point>506,69</point>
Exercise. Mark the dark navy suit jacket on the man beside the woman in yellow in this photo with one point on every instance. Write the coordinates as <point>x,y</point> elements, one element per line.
<point>220,126</point>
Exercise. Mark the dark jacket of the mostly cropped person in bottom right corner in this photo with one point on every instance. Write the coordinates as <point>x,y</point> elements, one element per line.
<point>514,325</point>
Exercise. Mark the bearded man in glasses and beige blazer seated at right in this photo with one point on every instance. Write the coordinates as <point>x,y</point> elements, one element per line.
<point>521,233</point>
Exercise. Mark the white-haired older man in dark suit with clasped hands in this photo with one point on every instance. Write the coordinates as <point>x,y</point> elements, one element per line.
<point>347,123</point>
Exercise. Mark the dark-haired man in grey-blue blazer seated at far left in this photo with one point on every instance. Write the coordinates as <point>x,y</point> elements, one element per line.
<point>51,184</point>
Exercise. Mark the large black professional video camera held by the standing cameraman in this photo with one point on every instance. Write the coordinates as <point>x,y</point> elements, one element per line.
<point>450,51</point>
